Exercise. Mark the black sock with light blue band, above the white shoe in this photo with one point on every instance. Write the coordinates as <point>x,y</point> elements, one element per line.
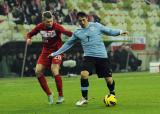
<point>84,88</point>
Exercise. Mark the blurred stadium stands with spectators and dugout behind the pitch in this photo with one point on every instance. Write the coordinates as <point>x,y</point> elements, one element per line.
<point>129,53</point>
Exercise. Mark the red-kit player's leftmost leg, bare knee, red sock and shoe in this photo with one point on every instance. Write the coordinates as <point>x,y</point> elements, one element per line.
<point>42,81</point>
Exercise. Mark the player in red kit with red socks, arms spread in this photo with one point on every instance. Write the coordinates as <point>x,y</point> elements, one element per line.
<point>51,38</point>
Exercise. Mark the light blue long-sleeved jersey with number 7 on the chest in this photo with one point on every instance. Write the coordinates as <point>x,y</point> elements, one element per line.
<point>91,40</point>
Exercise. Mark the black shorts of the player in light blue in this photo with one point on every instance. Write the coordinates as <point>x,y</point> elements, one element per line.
<point>100,65</point>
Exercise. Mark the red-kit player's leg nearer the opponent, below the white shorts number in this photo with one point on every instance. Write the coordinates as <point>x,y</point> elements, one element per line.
<point>55,67</point>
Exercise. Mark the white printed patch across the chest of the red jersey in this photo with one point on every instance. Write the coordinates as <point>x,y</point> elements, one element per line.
<point>48,34</point>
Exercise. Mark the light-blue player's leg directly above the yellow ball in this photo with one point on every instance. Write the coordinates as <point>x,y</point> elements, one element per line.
<point>103,71</point>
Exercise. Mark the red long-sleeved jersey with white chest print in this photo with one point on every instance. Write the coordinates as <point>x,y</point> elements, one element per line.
<point>51,37</point>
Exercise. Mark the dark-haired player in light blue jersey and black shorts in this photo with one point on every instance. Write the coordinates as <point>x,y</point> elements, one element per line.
<point>95,54</point>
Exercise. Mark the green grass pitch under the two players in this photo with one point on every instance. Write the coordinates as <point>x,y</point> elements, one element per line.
<point>137,93</point>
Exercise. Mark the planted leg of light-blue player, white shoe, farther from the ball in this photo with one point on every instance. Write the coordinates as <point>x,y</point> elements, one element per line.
<point>86,71</point>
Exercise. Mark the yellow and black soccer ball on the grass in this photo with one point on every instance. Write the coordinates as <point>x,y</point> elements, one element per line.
<point>110,100</point>
